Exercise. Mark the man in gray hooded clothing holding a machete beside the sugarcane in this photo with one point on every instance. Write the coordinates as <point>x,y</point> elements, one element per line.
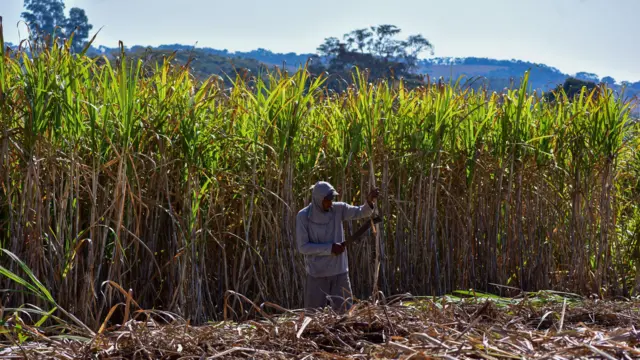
<point>320,237</point>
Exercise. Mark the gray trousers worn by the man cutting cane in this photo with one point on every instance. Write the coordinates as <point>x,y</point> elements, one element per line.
<point>334,290</point>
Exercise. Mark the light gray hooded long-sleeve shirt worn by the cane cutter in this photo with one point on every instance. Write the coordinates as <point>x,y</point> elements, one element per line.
<point>316,233</point>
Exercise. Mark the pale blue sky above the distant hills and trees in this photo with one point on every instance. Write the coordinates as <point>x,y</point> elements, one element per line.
<point>599,36</point>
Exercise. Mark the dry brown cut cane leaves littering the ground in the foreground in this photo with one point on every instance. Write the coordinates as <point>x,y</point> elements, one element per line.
<point>471,329</point>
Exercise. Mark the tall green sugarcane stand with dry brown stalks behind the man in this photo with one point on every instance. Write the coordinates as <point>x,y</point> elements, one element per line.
<point>121,183</point>
